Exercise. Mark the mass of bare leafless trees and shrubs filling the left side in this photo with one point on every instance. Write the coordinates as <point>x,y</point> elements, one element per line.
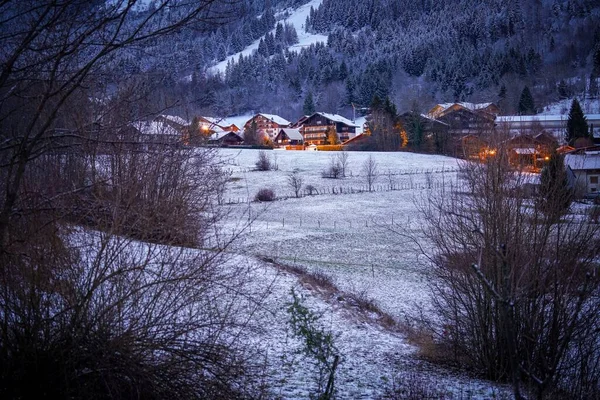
<point>104,292</point>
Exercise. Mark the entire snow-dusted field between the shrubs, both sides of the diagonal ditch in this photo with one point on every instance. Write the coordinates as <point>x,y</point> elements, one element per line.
<point>358,240</point>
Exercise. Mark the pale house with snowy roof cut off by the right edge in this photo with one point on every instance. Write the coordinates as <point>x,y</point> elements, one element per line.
<point>584,168</point>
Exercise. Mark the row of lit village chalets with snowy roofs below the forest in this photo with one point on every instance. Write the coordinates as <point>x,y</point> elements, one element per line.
<point>464,130</point>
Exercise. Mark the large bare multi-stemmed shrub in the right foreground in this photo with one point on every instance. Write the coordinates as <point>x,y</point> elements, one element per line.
<point>515,287</point>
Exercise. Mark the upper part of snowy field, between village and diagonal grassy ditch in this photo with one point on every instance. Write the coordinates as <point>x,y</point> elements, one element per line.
<point>352,237</point>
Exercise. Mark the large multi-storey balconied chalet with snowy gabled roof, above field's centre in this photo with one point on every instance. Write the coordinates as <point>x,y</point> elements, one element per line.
<point>315,128</point>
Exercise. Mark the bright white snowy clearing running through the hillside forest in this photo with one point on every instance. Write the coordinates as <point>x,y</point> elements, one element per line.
<point>295,17</point>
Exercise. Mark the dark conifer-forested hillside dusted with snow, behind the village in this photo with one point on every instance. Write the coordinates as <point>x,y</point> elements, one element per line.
<point>417,53</point>
